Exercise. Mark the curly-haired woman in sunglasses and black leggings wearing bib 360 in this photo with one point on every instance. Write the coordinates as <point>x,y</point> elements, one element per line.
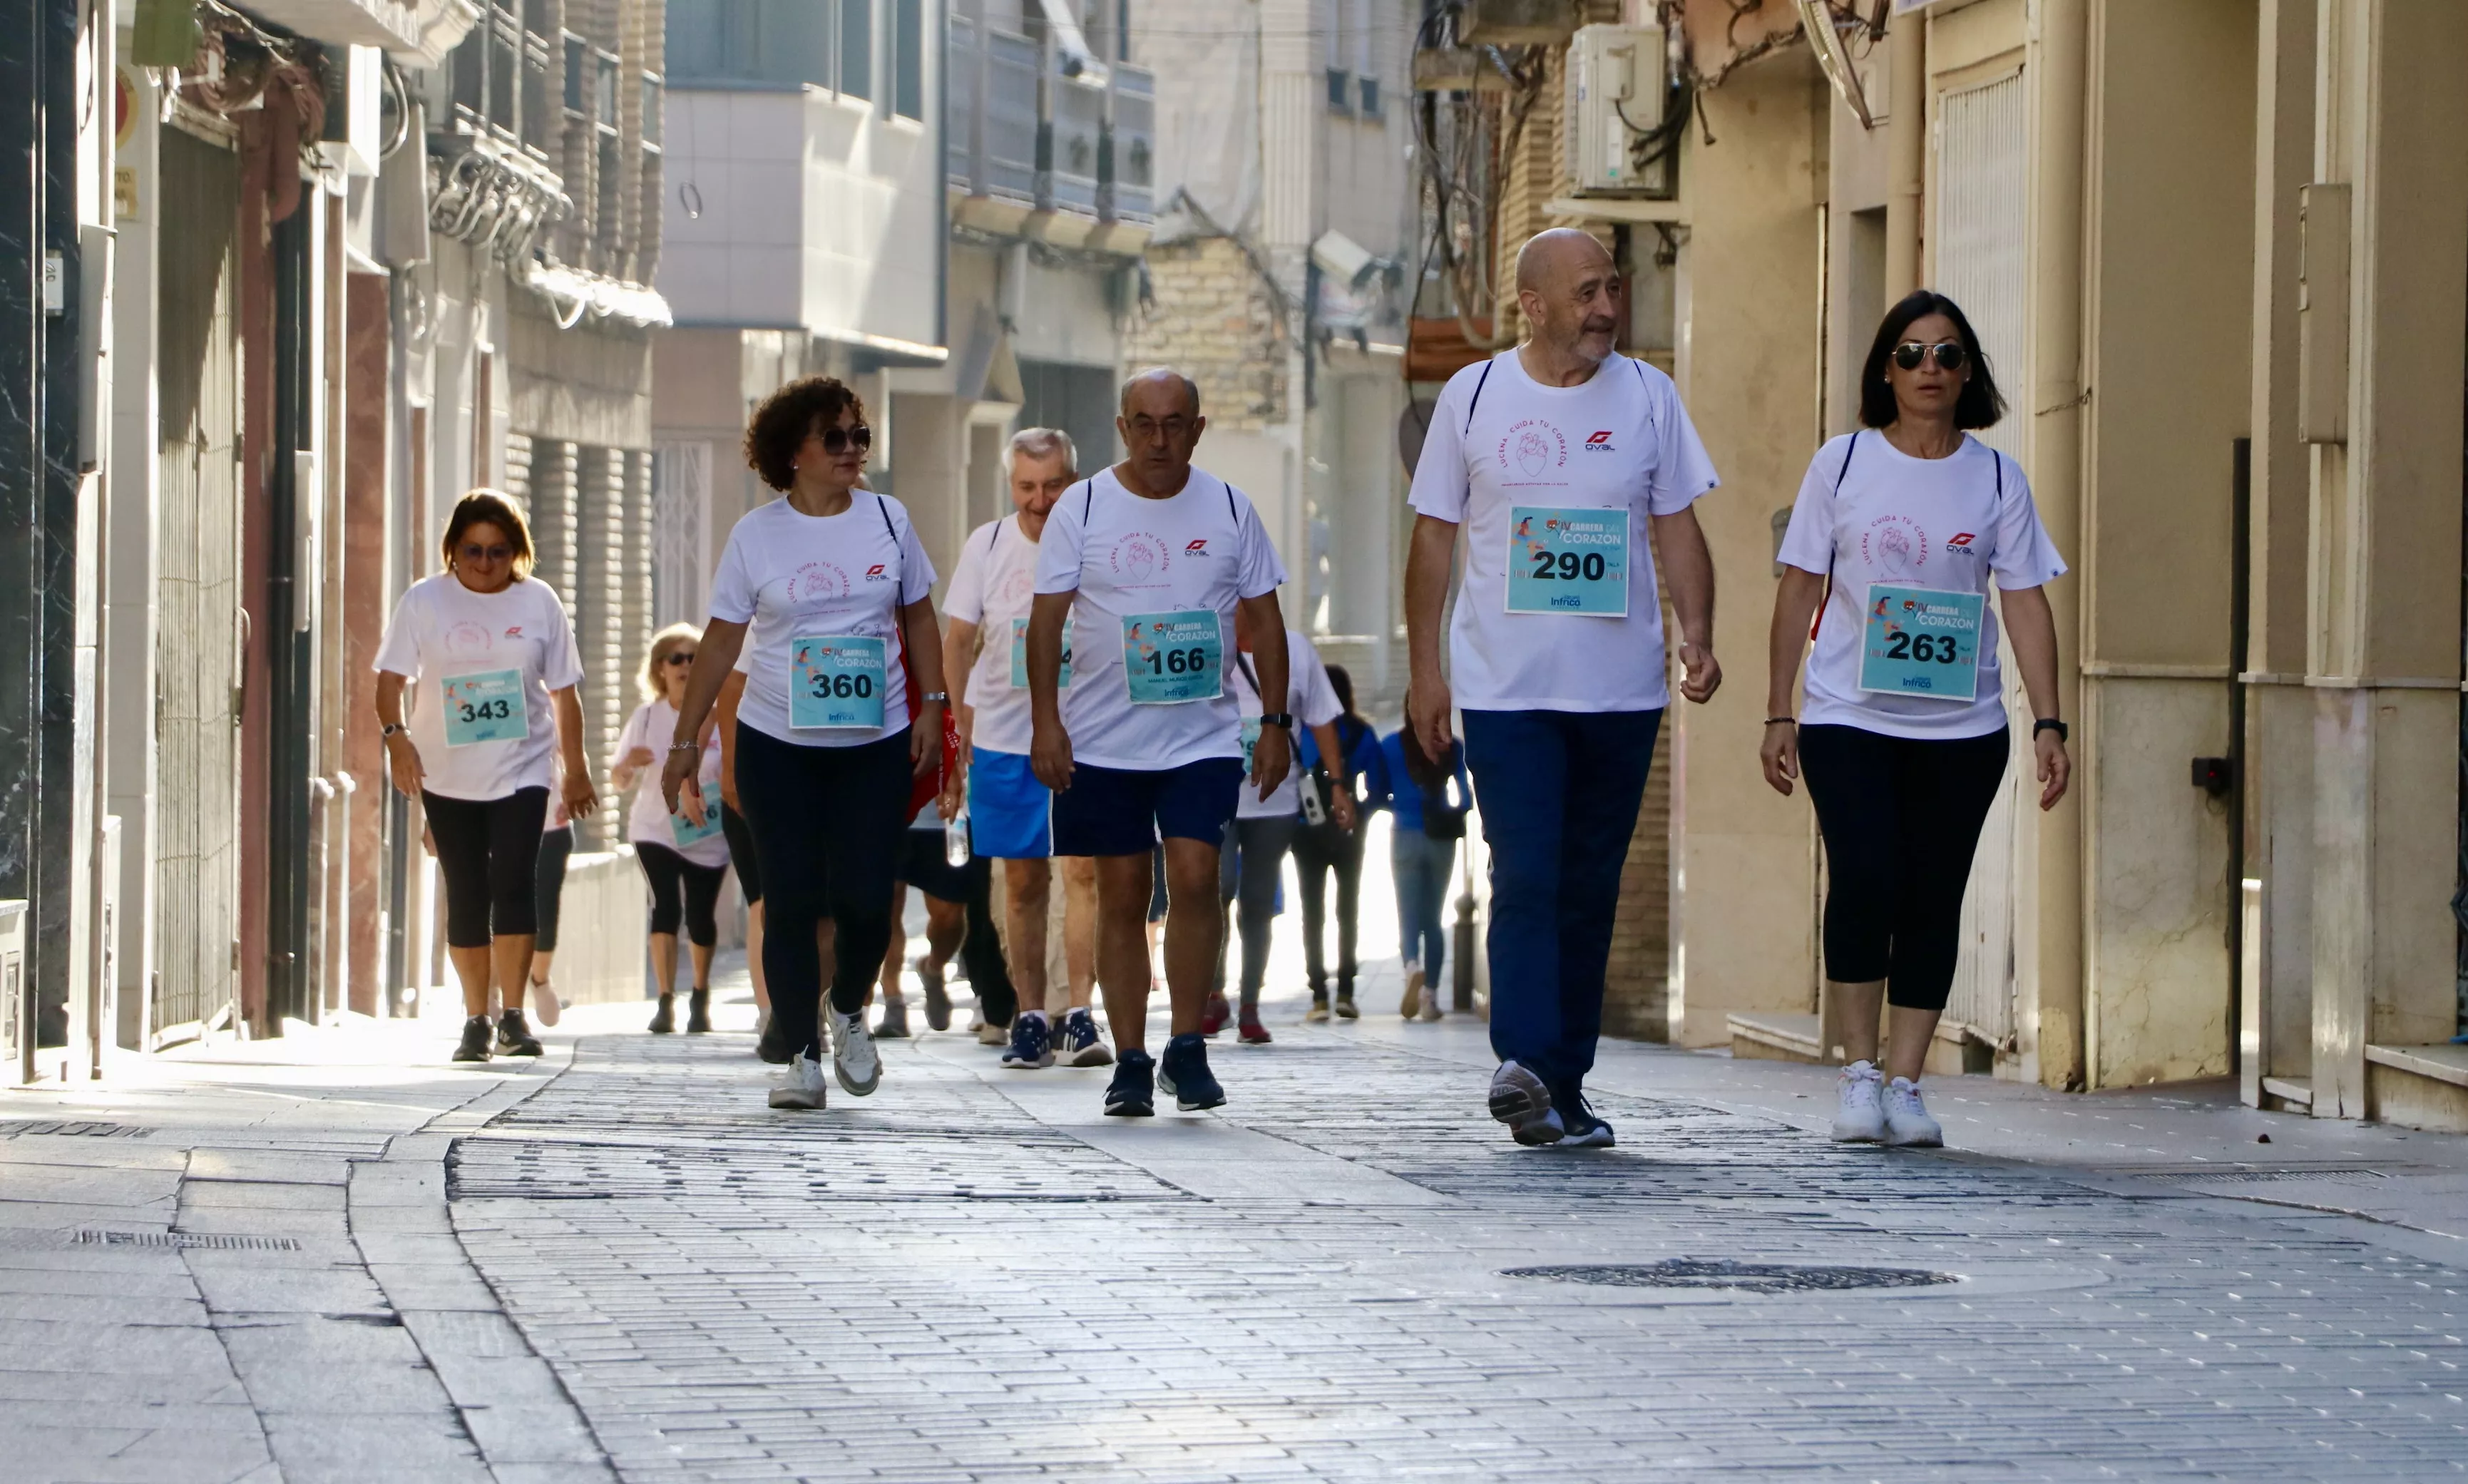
<point>830,596</point>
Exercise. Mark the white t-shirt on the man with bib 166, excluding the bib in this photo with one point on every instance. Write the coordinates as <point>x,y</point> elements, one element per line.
<point>1203,549</point>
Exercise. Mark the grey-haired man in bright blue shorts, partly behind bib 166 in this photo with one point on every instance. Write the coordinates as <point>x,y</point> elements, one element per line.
<point>1008,809</point>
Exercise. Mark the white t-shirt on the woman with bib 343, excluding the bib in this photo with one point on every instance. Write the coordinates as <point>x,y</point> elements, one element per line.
<point>448,633</point>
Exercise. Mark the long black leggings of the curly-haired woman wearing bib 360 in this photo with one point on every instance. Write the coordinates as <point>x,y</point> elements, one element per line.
<point>828,831</point>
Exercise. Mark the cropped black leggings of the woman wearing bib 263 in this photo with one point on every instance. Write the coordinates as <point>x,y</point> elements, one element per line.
<point>1902,821</point>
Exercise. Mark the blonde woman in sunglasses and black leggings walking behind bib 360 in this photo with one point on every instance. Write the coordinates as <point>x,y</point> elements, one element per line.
<point>685,863</point>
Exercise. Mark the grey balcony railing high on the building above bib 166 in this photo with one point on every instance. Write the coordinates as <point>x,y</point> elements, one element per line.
<point>1021,127</point>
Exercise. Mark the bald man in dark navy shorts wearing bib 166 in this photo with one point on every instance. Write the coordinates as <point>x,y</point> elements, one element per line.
<point>1151,562</point>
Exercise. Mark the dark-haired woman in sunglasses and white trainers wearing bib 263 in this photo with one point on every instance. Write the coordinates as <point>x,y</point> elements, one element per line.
<point>1904,730</point>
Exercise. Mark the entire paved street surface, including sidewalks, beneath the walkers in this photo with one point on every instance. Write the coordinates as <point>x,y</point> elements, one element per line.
<point>339,1258</point>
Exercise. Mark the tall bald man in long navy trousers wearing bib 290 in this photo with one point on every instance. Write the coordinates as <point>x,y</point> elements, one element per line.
<point>1556,458</point>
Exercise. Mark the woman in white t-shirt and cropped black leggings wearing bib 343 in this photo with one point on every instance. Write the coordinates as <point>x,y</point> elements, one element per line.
<point>490,661</point>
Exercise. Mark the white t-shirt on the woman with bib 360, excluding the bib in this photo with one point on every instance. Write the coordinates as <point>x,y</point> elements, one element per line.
<point>798,577</point>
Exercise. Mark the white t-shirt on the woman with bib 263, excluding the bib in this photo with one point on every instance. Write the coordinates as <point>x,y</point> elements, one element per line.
<point>1946,525</point>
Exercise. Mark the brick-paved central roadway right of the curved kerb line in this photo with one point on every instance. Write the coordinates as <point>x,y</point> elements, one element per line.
<point>974,1275</point>
